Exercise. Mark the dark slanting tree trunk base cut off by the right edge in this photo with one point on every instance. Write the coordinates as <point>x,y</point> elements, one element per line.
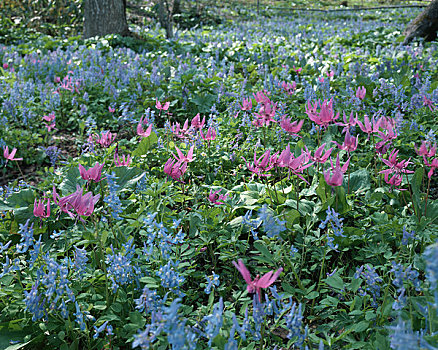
<point>425,25</point>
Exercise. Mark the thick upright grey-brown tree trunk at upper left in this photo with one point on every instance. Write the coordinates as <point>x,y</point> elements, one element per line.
<point>102,17</point>
